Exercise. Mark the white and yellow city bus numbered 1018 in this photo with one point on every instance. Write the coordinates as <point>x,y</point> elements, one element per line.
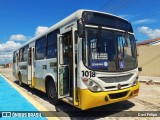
<point>88,59</point>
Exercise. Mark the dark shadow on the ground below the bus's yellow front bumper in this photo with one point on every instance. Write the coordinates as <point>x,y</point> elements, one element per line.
<point>111,110</point>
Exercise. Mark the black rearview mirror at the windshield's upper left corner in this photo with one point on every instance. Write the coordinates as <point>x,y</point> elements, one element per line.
<point>81,29</point>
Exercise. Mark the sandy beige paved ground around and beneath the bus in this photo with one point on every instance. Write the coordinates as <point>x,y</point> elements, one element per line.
<point>148,100</point>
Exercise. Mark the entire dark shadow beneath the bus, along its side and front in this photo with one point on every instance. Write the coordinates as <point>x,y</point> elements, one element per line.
<point>67,110</point>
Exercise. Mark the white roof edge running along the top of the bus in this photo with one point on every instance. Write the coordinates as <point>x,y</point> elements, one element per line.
<point>74,16</point>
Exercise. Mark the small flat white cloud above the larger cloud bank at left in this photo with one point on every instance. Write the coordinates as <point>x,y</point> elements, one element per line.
<point>18,37</point>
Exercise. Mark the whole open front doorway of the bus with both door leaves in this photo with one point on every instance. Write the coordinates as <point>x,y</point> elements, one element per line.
<point>67,85</point>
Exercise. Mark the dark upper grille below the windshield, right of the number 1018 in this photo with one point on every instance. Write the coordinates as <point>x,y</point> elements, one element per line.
<point>116,79</point>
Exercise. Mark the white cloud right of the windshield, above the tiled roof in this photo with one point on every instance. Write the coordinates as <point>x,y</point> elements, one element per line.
<point>149,32</point>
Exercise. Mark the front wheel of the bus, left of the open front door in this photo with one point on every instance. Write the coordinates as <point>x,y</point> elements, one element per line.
<point>52,93</point>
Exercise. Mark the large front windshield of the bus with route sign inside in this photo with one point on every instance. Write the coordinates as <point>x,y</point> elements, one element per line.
<point>108,50</point>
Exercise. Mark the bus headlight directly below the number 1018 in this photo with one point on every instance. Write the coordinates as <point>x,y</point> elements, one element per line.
<point>93,86</point>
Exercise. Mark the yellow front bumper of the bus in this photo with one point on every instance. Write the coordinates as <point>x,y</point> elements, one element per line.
<point>90,99</point>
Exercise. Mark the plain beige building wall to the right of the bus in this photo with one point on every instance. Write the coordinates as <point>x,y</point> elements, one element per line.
<point>149,60</point>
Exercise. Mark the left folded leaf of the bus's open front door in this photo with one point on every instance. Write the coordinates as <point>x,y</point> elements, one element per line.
<point>63,68</point>
